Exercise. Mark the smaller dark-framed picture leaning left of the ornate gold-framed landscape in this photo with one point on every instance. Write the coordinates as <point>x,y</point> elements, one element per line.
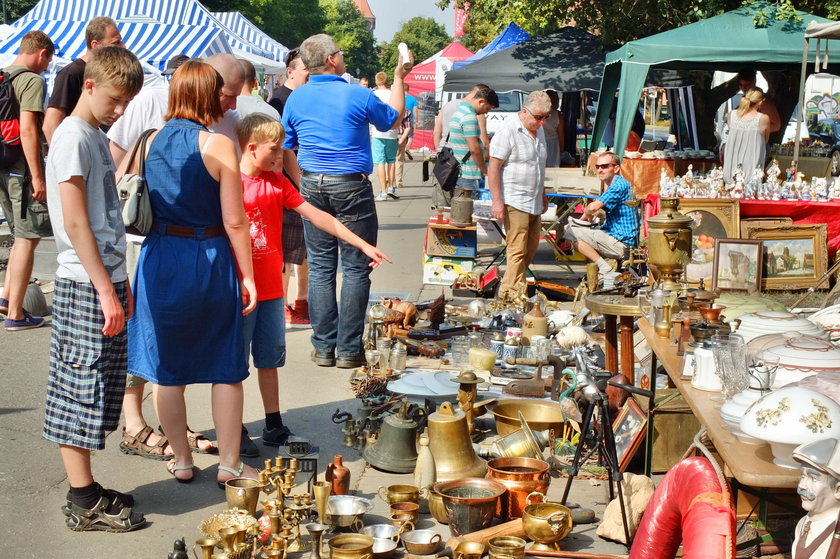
<point>737,265</point>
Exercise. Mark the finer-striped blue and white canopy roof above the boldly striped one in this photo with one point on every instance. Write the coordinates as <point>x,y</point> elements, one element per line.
<point>172,12</point>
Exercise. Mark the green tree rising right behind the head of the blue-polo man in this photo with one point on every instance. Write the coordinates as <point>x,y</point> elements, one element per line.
<point>346,25</point>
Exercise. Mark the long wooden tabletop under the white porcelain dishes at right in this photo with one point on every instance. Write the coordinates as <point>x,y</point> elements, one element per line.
<point>750,465</point>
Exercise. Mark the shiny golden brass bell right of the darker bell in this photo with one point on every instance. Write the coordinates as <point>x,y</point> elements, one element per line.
<point>451,446</point>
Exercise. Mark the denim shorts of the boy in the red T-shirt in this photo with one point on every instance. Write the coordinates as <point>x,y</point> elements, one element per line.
<point>264,331</point>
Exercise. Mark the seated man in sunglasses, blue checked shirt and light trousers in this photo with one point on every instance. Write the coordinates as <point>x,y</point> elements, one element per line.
<point>621,228</point>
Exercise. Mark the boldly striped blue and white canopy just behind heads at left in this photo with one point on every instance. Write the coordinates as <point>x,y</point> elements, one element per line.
<point>153,43</point>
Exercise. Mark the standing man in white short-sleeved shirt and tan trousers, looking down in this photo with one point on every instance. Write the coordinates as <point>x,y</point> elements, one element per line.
<point>517,185</point>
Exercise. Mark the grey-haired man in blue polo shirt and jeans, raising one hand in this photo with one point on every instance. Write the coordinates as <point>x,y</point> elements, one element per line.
<point>327,120</point>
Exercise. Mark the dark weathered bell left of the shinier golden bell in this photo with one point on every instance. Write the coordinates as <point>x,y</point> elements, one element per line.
<point>396,448</point>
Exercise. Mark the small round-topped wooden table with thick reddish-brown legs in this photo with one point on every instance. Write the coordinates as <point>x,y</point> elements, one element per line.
<point>620,310</point>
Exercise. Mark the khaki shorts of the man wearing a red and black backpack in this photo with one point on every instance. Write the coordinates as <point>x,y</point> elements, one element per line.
<point>36,225</point>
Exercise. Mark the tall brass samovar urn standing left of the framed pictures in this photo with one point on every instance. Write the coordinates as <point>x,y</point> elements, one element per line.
<point>669,243</point>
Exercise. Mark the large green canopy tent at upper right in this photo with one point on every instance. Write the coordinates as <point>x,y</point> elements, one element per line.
<point>727,42</point>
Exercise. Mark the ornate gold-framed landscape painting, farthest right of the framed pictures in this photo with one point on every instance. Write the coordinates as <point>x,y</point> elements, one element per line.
<point>794,256</point>
